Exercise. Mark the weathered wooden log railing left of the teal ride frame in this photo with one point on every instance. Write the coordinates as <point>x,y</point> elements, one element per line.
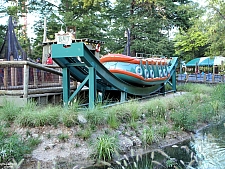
<point>25,77</point>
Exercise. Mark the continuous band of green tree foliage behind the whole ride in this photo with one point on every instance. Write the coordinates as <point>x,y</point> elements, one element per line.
<point>150,23</point>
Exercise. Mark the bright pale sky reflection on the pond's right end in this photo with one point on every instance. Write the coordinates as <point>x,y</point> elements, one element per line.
<point>209,146</point>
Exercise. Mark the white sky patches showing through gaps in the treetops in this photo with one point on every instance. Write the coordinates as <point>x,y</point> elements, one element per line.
<point>31,18</point>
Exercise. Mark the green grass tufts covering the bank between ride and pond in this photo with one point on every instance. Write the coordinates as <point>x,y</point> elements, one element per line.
<point>150,120</point>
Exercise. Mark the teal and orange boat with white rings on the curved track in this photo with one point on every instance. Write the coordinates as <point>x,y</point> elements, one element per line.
<point>137,71</point>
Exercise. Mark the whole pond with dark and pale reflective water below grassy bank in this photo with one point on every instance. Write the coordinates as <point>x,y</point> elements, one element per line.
<point>206,150</point>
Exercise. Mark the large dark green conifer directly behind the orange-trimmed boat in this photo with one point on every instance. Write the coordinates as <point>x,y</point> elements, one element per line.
<point>150,22</point>
